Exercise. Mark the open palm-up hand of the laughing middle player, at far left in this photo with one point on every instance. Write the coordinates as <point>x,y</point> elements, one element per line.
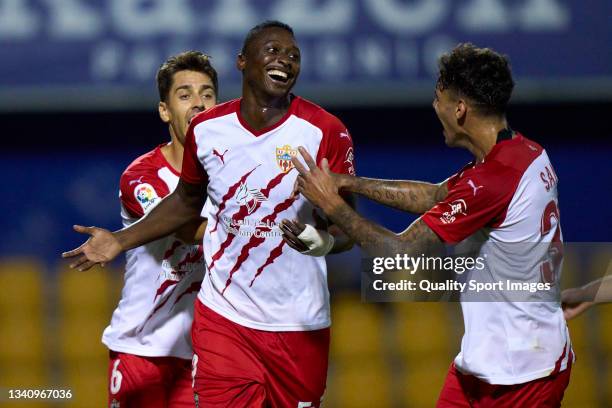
<point>101,248</point>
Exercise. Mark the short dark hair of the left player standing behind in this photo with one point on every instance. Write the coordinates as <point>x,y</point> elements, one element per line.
<point>185,61</point>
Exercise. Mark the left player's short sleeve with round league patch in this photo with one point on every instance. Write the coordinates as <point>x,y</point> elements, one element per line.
<point>139,194</point>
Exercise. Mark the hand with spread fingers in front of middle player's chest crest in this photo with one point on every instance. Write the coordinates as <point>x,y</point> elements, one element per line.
<point>316,184</point>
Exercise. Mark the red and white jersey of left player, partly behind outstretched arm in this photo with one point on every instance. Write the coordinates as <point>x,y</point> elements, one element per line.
<point>162,278</point>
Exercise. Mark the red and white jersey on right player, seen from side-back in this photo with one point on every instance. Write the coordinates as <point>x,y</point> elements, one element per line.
<point>507,207</point>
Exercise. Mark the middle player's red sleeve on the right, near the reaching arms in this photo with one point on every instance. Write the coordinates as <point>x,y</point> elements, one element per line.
<point>337,147</point>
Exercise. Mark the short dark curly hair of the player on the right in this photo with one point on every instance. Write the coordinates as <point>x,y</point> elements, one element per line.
<point>480,74</point>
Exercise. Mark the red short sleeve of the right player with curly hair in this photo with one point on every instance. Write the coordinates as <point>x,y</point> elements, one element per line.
<point>472,203</point>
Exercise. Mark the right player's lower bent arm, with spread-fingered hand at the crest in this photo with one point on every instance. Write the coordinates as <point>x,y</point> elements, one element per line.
<point>318,186</point>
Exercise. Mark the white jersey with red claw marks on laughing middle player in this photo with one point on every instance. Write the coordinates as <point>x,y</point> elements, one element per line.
<point>253,278</point>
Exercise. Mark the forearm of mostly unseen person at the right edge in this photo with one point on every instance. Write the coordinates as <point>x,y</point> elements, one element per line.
<point>576,301</point>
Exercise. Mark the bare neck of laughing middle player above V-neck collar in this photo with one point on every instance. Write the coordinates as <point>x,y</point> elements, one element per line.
<point>261,111</point>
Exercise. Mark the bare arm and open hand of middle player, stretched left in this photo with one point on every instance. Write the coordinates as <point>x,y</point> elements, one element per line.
<point>180,208</point>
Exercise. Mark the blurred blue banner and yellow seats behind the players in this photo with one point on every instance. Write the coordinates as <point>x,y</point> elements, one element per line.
<point>78,103</point>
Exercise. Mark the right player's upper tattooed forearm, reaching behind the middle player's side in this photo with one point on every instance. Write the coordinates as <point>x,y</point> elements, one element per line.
<point>412,196</point>
